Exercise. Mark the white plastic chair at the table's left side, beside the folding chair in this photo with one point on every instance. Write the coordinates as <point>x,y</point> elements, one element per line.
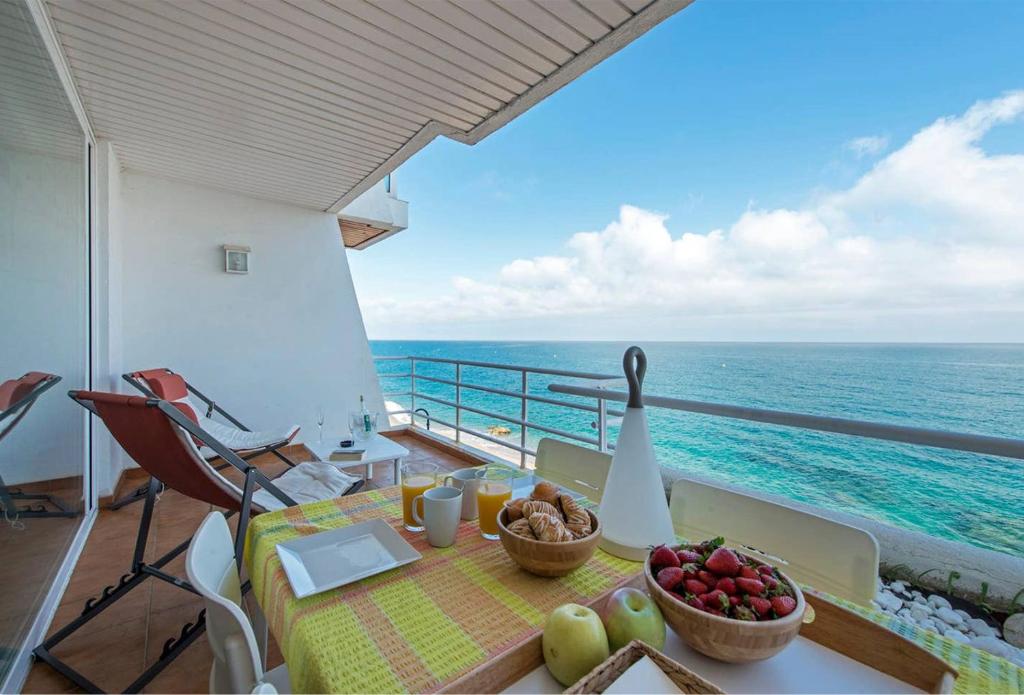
<point>238,666</point>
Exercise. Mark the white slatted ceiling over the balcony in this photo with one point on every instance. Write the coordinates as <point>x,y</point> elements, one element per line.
<point>312,102</point>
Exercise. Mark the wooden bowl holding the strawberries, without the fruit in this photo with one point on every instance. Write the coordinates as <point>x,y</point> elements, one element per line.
<point>728,639</point>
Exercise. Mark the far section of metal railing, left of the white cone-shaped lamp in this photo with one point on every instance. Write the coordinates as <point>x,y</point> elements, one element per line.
<point>601,409</point>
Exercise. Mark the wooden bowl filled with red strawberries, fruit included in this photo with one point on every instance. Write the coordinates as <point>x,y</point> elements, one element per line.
<point>722,603</point>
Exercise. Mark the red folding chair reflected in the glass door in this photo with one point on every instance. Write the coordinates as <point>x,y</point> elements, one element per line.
<point>17,399</point>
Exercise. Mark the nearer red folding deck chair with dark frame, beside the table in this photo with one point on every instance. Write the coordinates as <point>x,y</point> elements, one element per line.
<point>162,439</point>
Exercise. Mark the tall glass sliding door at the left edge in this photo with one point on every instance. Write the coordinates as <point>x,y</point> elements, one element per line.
<point>45,299</point>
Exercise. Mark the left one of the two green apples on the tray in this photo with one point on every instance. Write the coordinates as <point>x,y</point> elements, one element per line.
<point>574,642</point>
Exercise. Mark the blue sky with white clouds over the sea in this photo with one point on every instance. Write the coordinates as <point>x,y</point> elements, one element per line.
<point>728,108</point>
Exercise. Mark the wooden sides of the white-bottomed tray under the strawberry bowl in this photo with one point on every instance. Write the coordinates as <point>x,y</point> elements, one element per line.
<point>833,627</point>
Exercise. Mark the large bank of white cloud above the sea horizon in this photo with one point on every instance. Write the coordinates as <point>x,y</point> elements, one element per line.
<point>936,226</point>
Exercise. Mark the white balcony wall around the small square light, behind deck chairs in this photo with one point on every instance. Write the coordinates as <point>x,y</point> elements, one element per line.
<point>270,346</point>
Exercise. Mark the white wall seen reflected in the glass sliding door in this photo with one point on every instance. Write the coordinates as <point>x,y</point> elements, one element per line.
<point>44,312</point>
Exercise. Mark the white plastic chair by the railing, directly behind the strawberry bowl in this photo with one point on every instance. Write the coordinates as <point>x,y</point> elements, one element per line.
<point>825,554</point>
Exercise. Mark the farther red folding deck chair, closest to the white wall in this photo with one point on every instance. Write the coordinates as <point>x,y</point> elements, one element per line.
<point>164,384</point>
